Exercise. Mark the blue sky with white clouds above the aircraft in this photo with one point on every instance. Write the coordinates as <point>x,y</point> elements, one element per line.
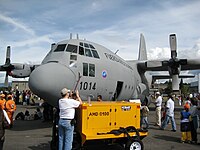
<point>30,26</point>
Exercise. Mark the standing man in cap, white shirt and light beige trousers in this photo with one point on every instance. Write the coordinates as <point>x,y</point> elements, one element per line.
<point>158,104</point>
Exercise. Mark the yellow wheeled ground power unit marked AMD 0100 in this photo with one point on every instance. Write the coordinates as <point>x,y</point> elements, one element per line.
<point>116,122</point>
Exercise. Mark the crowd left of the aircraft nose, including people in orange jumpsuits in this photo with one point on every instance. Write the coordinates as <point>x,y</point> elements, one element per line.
<point>8,101</point>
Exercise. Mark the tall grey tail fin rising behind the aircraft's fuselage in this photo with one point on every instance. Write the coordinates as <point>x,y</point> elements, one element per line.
<point>142,48</point>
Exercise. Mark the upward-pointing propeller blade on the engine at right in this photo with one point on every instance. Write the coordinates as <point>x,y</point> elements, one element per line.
<point>173,47</point>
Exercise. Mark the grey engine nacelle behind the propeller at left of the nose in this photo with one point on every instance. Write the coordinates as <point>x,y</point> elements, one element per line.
<point>20,71</point>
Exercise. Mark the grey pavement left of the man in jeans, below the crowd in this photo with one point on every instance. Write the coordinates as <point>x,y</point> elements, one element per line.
<point>28,135</point>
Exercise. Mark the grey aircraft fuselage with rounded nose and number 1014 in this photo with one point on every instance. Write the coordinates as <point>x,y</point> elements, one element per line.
<point>88,67</point>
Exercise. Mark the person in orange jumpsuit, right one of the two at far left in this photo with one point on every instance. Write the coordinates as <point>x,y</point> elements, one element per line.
<point>10,108</point>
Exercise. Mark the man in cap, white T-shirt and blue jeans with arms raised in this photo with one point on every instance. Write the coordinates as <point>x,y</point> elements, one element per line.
<point>67,107</point>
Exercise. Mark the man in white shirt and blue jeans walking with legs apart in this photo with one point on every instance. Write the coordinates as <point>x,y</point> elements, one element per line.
<point>169,114</point>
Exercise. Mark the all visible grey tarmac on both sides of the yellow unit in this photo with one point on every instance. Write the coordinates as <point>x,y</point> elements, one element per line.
<point>36,135</point>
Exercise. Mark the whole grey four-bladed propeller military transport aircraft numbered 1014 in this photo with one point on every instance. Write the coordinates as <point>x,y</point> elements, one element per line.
<point>94,69</point>
